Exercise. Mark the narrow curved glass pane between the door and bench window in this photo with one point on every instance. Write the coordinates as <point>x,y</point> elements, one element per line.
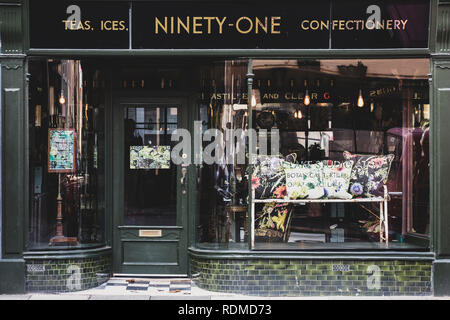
<point>223,186</point>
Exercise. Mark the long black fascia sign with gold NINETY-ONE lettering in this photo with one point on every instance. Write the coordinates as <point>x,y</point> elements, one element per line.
<point>322,24</point>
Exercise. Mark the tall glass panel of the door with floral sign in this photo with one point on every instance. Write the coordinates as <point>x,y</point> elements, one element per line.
<point>150,177</point>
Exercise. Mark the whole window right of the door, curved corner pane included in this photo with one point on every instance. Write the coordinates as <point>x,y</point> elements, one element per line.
<point>353,144</point>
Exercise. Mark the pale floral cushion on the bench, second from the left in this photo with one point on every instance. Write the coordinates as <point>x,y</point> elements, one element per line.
<point>304,180</point>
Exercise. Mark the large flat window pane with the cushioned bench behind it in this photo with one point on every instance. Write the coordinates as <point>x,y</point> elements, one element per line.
<point>350,131</point>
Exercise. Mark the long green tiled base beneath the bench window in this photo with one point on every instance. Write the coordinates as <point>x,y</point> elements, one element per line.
<point>295,277</point>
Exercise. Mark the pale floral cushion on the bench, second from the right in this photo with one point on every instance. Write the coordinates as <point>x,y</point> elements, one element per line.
<point>336,178</point>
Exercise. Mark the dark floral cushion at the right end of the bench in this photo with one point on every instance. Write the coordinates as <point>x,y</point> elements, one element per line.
<point>369,173</point>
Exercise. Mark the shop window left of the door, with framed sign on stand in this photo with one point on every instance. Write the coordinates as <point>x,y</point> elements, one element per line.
<point>66,134</point>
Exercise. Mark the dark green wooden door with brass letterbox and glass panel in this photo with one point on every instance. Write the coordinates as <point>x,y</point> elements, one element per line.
<point>149,194</point>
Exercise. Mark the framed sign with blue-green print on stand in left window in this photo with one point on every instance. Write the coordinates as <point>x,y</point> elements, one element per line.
<point>61,150</point>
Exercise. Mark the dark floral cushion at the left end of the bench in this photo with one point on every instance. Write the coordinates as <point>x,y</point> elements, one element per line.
<point>268,177</point>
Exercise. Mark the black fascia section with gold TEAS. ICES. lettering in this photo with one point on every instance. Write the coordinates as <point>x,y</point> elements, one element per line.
<point>79,25</point>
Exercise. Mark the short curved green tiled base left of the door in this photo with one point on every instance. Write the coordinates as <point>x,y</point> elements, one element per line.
<point>66,275</point>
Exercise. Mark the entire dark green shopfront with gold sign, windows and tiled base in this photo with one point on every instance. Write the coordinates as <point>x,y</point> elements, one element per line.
<point>97,96</point>
